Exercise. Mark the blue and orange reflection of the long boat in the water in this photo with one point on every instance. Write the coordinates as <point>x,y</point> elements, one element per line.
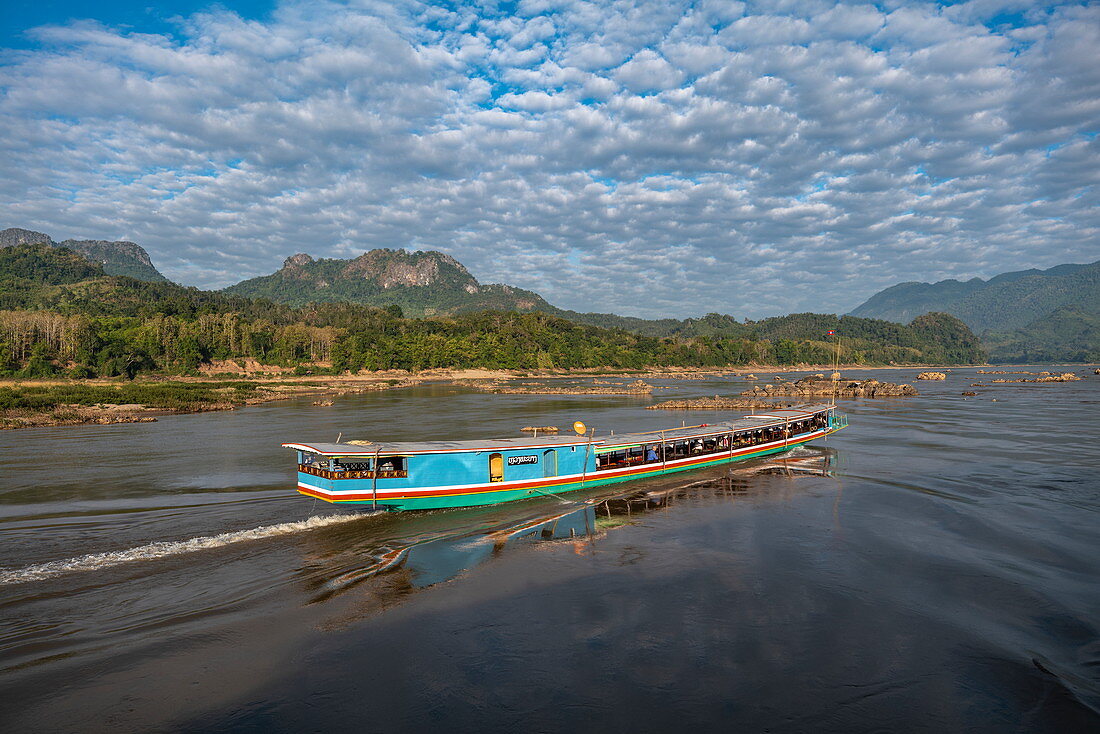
<point>442,557</point>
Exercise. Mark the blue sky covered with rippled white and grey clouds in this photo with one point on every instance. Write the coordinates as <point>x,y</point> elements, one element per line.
<point>651,159</point>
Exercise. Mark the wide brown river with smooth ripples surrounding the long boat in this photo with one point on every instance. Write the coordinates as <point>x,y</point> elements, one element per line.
<point>933,567</point>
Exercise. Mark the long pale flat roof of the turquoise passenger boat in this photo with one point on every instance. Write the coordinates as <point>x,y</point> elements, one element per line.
<point>405,448</point>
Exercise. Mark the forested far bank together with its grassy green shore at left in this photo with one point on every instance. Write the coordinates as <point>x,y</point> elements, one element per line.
<point>63,319</point>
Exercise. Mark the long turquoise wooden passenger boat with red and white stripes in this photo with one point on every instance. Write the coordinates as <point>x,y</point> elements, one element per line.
<point>435,475</point>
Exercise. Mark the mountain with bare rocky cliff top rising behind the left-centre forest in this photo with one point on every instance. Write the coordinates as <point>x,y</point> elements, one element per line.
<point>421,283</point>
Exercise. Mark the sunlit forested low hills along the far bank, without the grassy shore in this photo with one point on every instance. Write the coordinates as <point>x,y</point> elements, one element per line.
<point>61,314</point>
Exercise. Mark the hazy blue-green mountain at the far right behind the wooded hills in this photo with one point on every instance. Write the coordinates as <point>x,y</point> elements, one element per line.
<point>1027,316</point>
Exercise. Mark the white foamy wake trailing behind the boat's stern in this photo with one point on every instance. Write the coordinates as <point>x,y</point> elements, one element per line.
<point>155,551</point>
